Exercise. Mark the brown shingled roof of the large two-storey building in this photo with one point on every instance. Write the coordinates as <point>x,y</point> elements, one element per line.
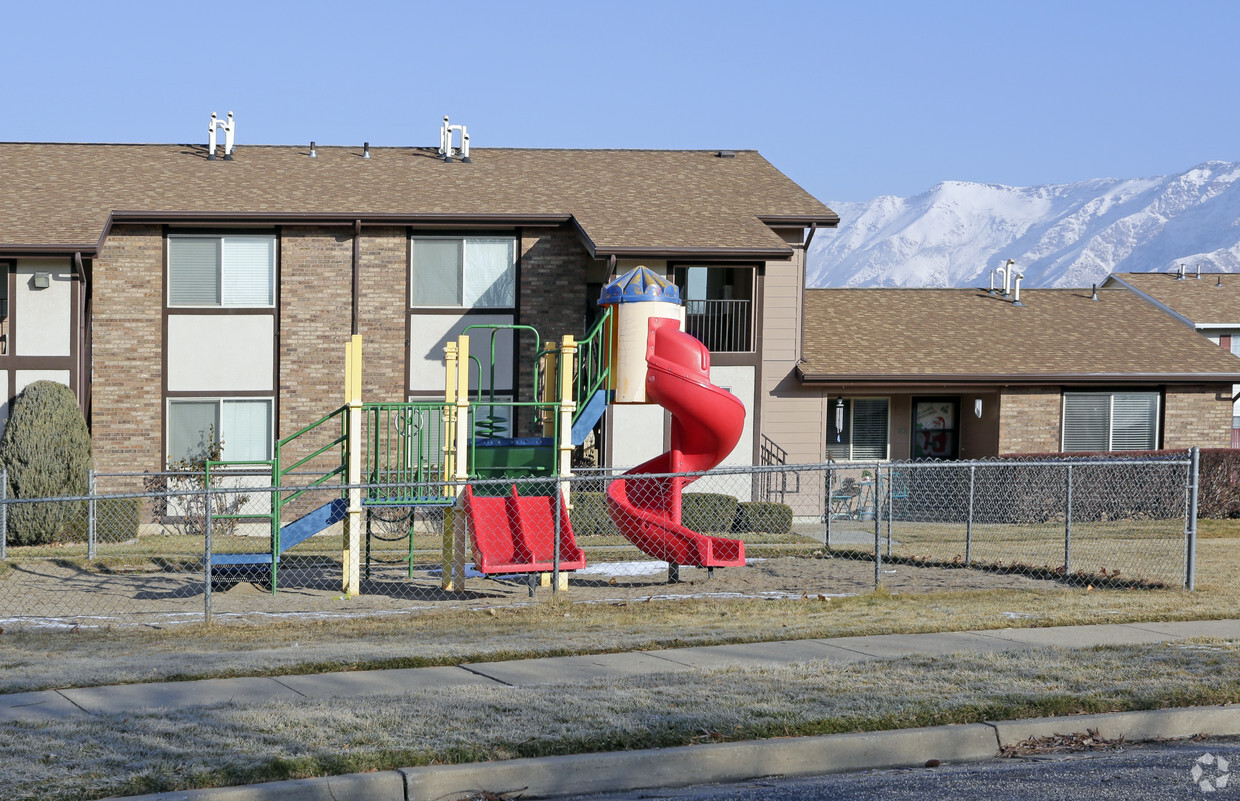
<point>63,198</point>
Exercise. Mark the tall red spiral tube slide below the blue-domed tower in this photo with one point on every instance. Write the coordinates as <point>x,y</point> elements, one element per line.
<point>706,426</point>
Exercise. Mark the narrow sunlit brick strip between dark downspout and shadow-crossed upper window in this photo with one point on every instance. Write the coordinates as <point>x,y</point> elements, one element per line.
<point>385,270</point>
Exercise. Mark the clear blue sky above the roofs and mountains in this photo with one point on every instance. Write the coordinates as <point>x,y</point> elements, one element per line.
<point>851,101</point>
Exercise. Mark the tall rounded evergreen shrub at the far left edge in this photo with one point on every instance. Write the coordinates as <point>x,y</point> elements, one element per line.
<point>46,449</point>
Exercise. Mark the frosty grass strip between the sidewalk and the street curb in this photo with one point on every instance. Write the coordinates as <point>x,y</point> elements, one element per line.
<point>228,745</point>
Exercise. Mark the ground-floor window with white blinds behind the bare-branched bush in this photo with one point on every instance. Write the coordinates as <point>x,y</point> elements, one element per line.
<point>242,425</point>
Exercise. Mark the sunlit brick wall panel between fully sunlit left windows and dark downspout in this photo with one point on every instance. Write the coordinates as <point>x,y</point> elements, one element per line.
<point>316,313</point>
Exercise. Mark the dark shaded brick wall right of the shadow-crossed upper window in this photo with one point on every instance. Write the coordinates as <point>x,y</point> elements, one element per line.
<point>551,296</point>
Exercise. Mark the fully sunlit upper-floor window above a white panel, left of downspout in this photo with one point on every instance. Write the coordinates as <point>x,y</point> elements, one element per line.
<point>230,272</point>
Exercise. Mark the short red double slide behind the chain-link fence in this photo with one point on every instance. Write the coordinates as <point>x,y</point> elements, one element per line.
<point>516,534</point>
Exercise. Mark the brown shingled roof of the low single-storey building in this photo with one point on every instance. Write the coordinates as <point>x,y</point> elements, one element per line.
<point>970,337</point>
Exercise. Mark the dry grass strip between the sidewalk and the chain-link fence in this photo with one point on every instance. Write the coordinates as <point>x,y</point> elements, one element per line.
<point>554,627</point>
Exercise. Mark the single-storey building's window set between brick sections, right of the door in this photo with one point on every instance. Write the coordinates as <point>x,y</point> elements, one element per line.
<point>1110,421</point>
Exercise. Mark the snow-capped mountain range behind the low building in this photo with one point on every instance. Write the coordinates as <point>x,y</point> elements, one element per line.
<point>1071,235</point>
